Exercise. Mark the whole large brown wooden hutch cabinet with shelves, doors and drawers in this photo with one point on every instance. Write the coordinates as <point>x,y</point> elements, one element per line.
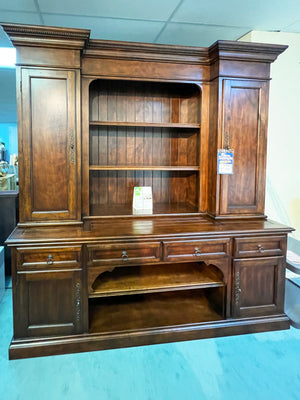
<point>98,118</point>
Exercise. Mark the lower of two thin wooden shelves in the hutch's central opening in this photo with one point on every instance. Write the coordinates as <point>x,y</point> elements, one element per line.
<point>143,168</point>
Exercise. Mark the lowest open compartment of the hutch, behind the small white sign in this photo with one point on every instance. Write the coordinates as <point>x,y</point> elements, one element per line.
<point>172,191</point>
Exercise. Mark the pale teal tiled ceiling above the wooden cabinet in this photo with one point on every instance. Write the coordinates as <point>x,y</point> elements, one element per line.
<point>183,22</point>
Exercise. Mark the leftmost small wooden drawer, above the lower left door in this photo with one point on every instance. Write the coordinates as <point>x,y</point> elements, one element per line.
<point>49,257</point>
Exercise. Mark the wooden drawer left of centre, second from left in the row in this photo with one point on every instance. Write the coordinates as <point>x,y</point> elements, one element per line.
<point>124,254</point>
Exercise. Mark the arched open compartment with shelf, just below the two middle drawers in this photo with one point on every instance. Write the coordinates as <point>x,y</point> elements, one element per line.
<point>151,279</point>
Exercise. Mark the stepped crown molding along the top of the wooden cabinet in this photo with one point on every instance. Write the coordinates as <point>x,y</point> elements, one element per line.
<point>71,38</point>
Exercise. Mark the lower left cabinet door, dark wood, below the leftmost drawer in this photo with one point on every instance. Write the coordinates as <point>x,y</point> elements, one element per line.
<point>48,303</point>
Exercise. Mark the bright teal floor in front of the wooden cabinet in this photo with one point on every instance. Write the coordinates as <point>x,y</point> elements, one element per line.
<point>264,366</point>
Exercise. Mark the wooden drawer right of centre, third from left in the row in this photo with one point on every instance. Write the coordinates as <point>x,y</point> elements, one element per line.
<point>196,249</point>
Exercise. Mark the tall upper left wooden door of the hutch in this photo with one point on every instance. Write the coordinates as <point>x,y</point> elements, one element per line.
<point>47,145</point>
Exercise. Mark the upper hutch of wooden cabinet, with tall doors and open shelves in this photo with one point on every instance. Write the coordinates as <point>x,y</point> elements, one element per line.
<point>98,118</point>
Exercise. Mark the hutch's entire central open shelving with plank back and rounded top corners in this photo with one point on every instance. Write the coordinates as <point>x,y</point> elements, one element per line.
<point>143,134</point>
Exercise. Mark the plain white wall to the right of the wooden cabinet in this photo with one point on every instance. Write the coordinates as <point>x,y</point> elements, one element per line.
<point>283,157</point>
